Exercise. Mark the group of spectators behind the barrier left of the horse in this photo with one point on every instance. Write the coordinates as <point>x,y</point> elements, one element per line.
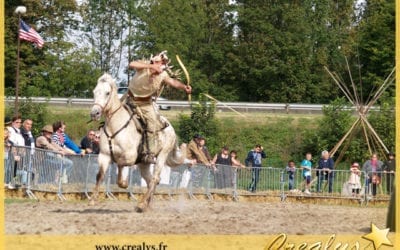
<point>18,138</point>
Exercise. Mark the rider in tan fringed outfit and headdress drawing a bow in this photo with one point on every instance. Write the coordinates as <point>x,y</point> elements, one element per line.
<point>144,88</point>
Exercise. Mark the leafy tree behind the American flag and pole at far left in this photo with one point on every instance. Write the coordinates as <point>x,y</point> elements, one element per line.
<point>56,70</point>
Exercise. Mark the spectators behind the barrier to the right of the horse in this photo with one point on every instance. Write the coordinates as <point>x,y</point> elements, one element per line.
<point>318,176</point>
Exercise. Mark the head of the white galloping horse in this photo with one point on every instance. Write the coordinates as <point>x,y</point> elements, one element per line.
<point>104,95</point>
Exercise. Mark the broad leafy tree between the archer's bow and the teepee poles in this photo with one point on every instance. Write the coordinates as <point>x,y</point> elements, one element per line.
<point>283,48</point>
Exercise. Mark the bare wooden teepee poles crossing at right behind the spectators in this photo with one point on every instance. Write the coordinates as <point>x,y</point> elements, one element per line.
<point>372,139</point>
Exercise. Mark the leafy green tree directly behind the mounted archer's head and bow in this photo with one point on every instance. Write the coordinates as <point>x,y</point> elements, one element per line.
<point>200,32</point>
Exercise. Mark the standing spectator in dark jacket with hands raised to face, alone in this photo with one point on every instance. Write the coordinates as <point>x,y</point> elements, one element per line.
<point>254,157</point>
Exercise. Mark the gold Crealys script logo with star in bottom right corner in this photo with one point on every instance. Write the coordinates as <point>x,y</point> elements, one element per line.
<point>375,239</point>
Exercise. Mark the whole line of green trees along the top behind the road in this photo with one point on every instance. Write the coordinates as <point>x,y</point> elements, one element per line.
<point>243,50</point>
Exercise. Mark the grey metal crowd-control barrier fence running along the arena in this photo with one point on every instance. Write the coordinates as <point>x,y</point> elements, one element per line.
<point>43,170</point>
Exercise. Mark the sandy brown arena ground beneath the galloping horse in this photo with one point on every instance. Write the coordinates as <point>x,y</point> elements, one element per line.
<point>183,216</point>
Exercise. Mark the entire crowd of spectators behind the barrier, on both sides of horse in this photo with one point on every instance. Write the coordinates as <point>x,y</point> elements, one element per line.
<point>224,164</point>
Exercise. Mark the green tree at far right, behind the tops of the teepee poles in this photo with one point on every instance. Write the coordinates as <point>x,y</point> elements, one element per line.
<point>376,44</point>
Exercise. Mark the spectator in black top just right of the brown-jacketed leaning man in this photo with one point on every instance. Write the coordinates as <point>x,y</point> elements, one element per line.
<point>222,163</point>
